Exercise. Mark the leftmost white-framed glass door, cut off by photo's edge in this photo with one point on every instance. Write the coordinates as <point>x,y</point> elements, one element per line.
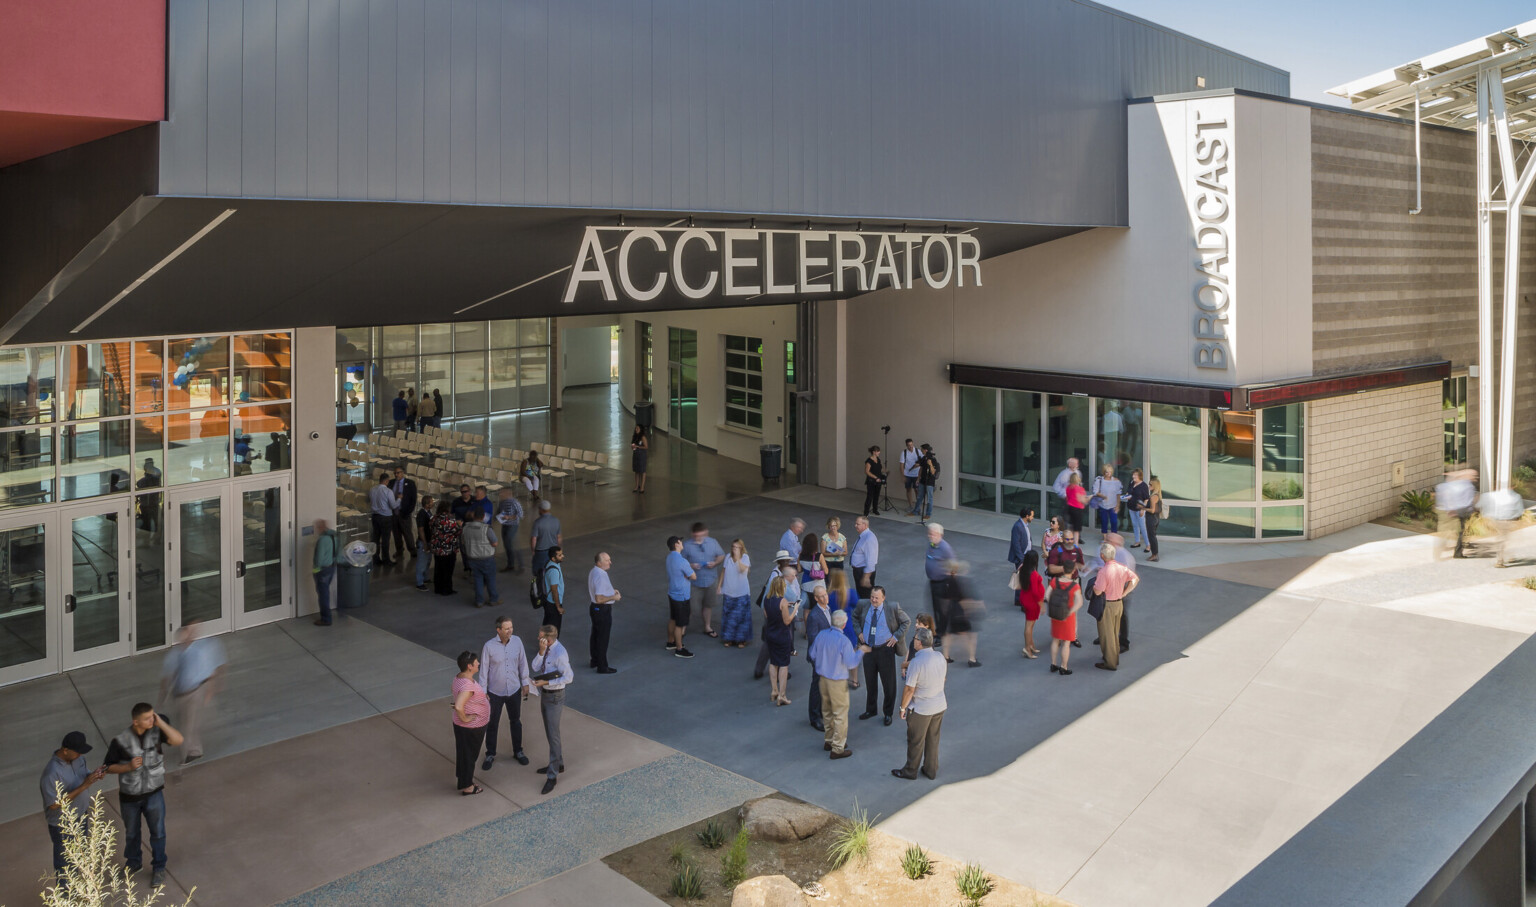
<point>28,634</point>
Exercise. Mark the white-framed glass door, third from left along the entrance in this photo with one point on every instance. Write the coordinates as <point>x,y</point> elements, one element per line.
<point>197,568</point>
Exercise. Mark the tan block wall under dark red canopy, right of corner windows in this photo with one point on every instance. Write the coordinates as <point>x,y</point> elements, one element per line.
<point>1352,444</point>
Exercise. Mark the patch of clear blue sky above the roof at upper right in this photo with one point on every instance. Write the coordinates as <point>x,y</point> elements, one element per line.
<point>1326,44</point>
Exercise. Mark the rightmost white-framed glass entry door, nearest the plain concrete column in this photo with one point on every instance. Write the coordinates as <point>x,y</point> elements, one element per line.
<point>263,560</point>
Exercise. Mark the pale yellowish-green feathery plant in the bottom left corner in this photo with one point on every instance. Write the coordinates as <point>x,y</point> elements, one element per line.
<point>91,872</point>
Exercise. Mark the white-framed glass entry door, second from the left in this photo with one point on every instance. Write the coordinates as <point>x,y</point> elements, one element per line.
<point>96,579</point>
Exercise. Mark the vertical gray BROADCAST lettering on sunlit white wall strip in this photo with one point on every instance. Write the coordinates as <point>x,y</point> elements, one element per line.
<point>1210,182</point>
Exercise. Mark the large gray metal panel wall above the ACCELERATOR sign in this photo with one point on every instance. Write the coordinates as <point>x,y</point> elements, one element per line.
<point>973,110</point>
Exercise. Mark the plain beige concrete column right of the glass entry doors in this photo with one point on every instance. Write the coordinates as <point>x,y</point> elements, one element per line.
<point>314,450</point>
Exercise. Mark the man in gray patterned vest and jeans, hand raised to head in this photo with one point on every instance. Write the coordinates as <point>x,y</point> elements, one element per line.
<point>137,759</point>
